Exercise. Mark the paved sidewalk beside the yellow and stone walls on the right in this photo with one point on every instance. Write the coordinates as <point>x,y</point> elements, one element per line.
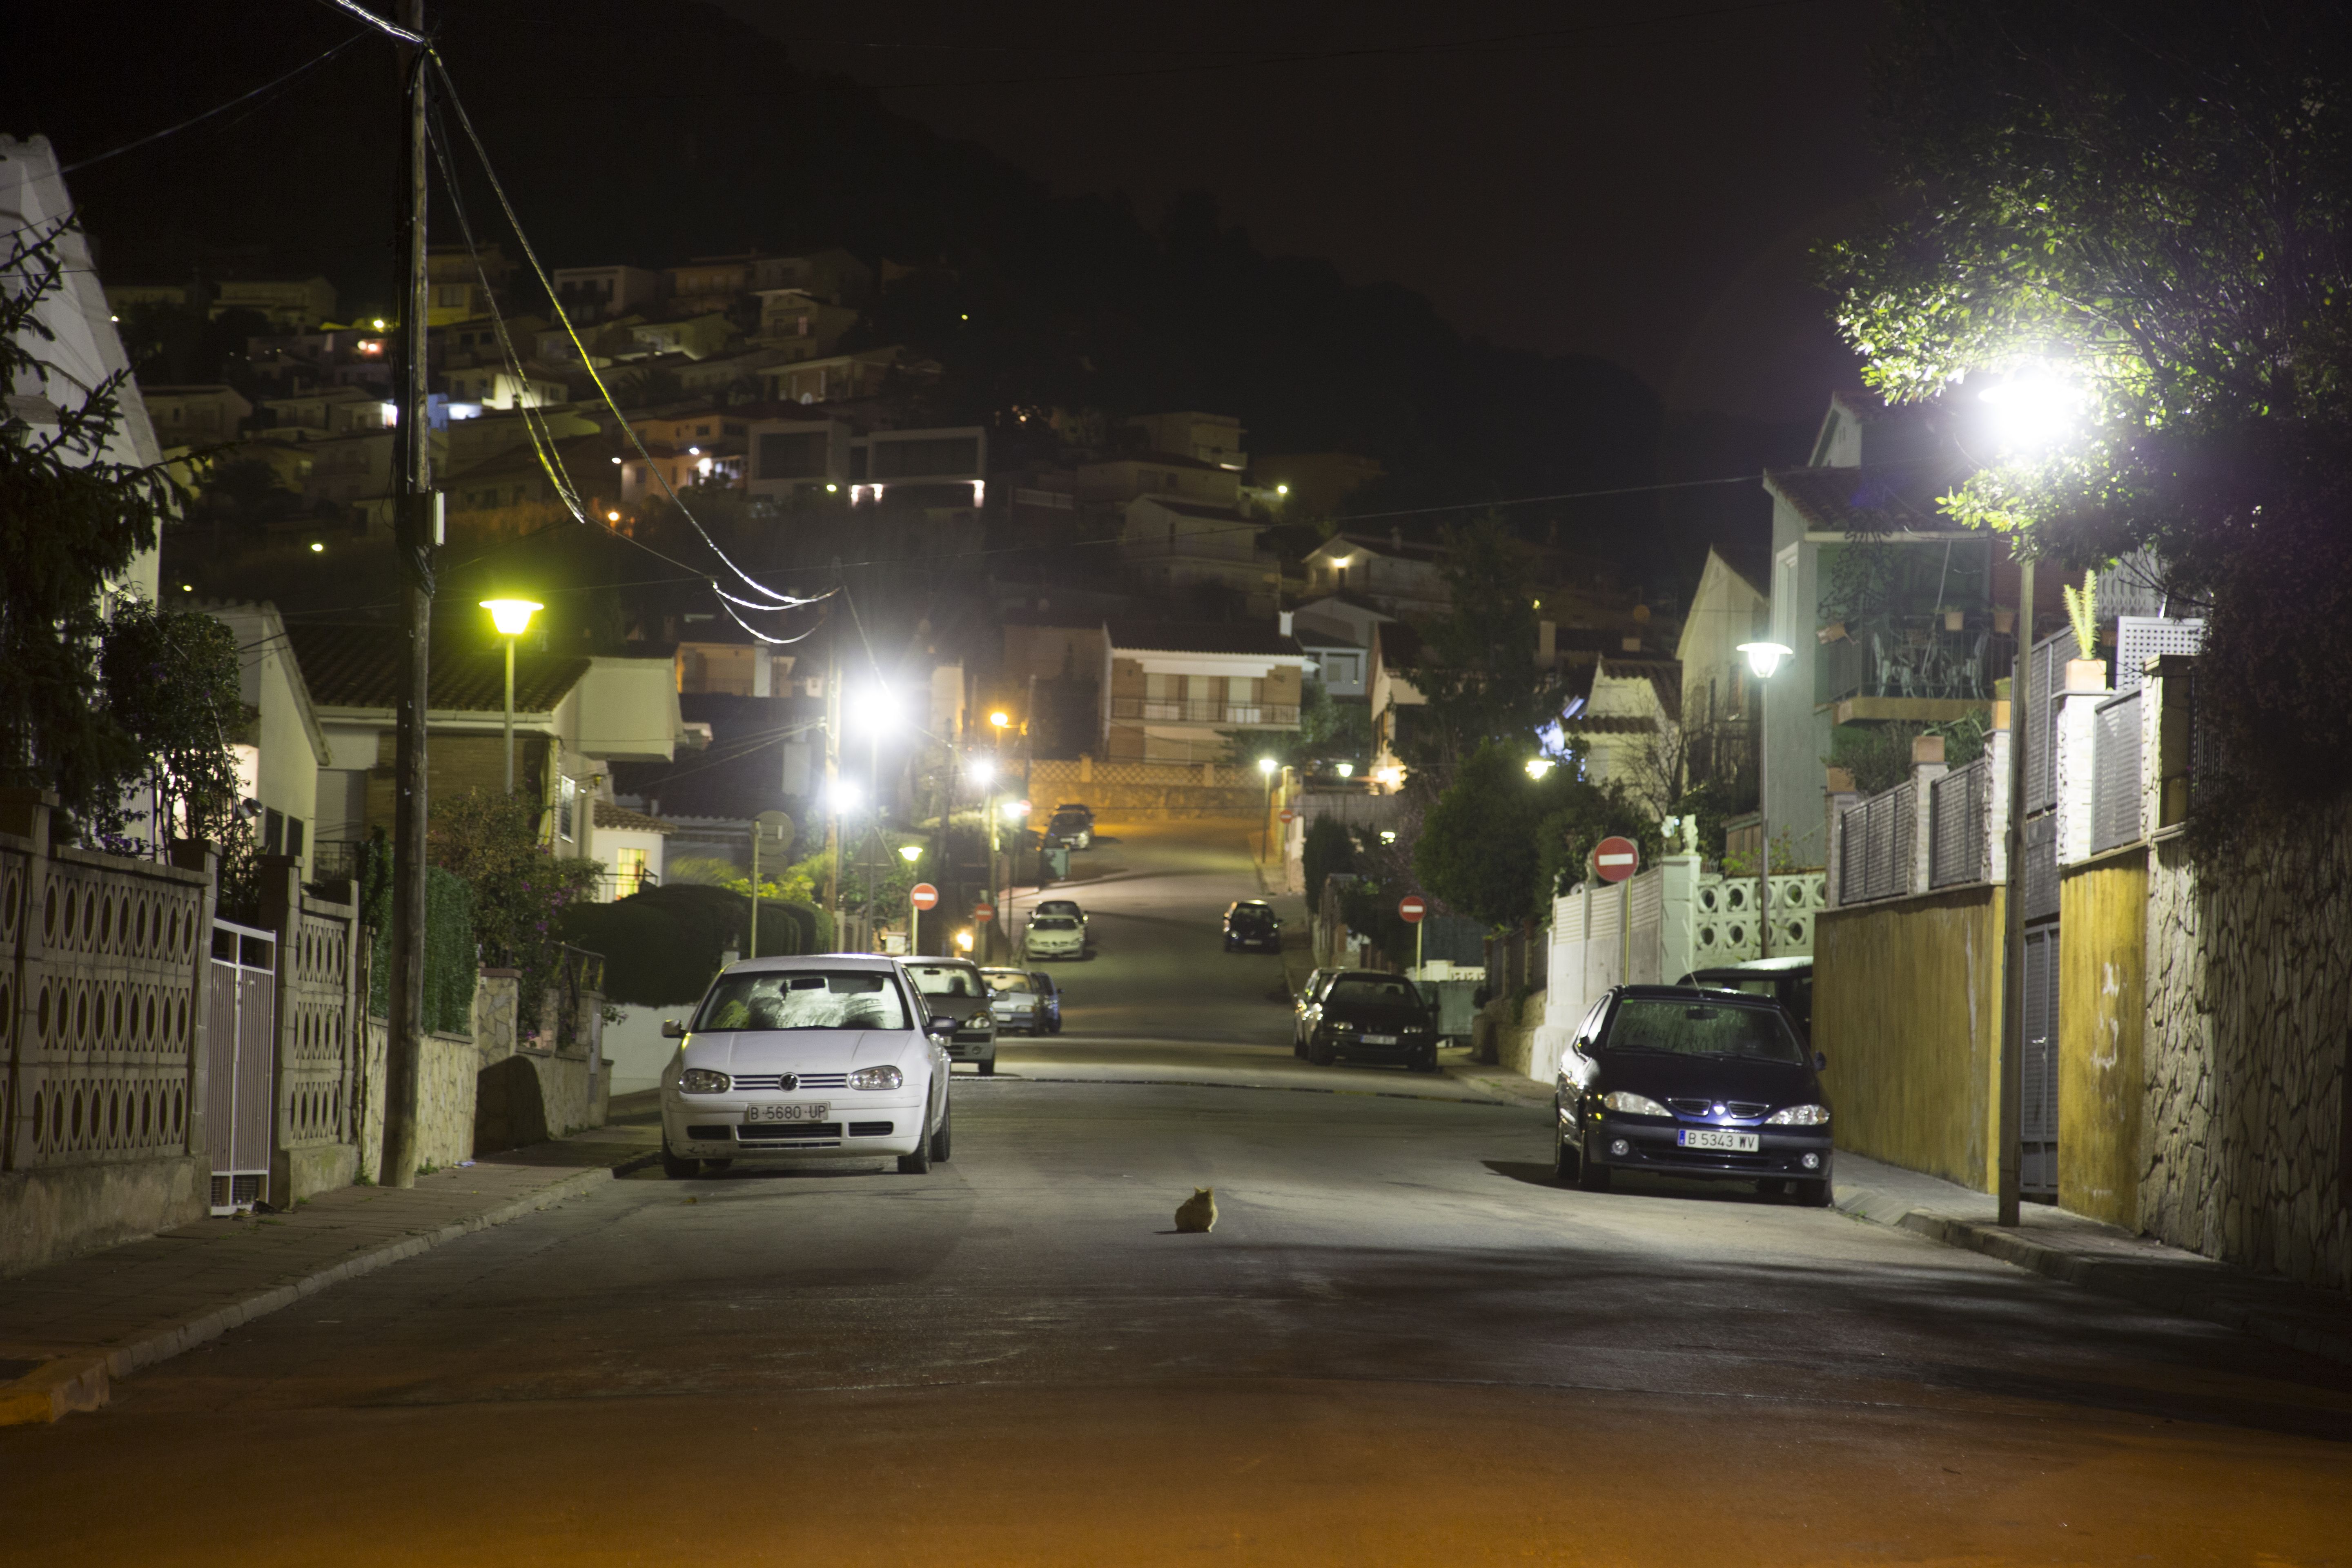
<point>2099,1259</point>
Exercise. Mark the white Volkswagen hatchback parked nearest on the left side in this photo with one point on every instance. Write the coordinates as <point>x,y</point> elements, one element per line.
<point>808,1059</point>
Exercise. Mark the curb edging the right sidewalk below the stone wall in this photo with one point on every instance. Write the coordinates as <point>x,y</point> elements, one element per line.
<point>2229,1301</point>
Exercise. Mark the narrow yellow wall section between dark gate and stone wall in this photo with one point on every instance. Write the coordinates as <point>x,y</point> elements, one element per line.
<point>2102,1014</point>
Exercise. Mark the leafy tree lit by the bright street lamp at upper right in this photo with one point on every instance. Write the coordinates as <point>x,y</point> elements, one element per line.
<point>2134,220</point>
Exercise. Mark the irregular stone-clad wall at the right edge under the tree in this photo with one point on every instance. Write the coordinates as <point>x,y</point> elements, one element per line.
<point>2250,1021</point>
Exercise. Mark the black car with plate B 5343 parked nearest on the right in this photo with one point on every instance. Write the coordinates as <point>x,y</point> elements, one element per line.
<point>1692,1083</point>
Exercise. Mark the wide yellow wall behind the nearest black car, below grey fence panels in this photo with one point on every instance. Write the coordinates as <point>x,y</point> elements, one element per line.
<point>1906,1003</point>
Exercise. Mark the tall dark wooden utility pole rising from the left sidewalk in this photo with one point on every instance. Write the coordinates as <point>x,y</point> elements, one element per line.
<point>413,523</point>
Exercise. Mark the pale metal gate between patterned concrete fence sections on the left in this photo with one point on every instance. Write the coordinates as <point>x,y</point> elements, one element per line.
<point>241,1064</point>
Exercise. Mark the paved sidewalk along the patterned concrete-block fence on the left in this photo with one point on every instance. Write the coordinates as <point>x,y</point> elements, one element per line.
<point>72,1327</point>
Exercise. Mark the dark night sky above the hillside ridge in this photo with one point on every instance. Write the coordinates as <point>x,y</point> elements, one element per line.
<point>1631,182</point>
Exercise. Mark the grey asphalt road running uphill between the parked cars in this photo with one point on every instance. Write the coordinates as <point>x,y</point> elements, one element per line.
<point>1398,1346</point>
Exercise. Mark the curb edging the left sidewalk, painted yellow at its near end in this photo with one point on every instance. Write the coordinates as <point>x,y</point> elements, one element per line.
<point>81,1381</point>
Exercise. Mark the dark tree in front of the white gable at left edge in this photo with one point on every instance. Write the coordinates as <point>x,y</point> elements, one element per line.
<point>72,523</point>
